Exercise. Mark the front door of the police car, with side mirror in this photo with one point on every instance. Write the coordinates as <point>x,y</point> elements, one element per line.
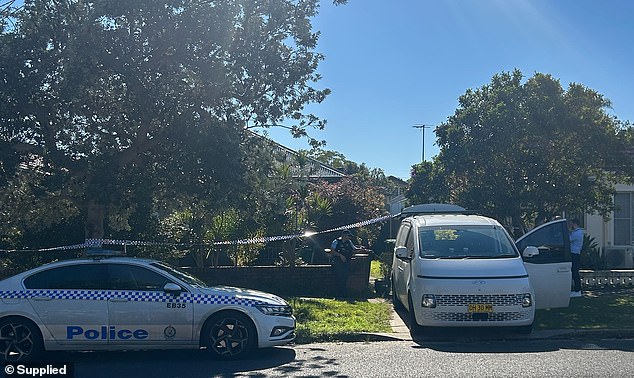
<point>140,312</point>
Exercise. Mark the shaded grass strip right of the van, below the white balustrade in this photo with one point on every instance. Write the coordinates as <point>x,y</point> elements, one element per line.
<point>614,311</point>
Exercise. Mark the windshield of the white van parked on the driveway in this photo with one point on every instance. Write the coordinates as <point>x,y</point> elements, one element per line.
<point>465,242</point>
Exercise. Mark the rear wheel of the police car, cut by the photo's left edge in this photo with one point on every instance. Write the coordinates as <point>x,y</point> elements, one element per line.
<point>20,340</point>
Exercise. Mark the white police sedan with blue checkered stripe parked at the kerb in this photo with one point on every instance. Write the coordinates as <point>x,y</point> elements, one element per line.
<point>114,303</point>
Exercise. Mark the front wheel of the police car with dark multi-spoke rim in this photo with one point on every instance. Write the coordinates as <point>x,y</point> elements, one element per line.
<point>230,335</point>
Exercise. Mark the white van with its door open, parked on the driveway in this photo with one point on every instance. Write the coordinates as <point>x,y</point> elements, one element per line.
<point>455,269</point>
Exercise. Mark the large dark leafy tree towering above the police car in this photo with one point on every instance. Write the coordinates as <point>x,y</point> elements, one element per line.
<point>109,110</point>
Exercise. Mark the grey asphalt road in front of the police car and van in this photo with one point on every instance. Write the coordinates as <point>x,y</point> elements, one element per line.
<point>454,358</point>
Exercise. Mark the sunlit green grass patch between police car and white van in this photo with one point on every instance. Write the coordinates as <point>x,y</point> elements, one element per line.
<point>330,320</point>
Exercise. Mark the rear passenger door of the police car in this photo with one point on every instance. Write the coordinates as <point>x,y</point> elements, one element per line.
<point>71,302</point>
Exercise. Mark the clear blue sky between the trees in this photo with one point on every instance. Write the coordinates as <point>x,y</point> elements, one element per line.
<point>392,64</point>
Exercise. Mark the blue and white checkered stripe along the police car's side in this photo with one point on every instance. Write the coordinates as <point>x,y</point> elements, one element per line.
<point>134,296</point>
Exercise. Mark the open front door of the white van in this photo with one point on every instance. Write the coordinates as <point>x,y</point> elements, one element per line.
<point>549,270</point>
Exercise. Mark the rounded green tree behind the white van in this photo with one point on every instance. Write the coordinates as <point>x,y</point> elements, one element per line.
<point>528,150</point>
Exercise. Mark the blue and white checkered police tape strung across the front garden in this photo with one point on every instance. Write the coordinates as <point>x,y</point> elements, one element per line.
<point>99,243</point>
